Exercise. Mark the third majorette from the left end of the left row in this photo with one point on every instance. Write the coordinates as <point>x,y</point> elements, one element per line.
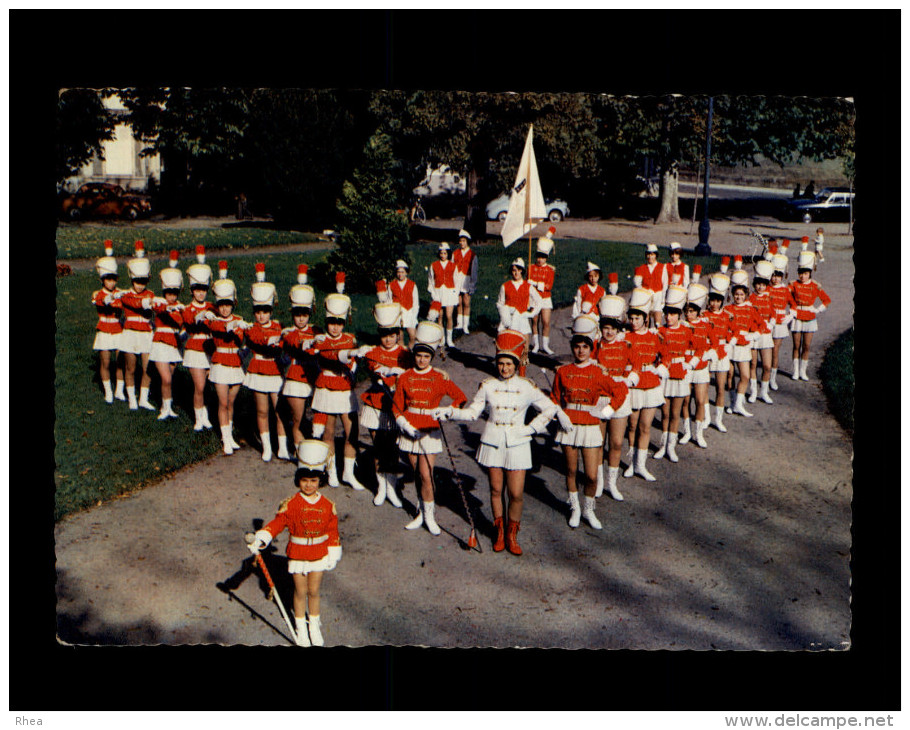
<point>165,351</point>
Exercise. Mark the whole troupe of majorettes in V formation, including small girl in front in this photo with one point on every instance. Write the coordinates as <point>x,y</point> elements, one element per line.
<point>661,349</point>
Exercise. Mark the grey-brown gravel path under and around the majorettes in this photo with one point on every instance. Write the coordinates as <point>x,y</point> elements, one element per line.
<point>744,545</point>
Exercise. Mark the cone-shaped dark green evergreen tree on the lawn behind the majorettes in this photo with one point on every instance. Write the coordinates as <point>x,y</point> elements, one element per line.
<point>372,233</point>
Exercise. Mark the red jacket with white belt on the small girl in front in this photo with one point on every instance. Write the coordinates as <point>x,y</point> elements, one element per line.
<point>314,522</point>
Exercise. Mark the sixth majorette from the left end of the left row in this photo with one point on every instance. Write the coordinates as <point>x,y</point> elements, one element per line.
<point>263,376</point>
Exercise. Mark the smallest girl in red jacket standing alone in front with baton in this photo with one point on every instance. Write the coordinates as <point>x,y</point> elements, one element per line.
<point>314,545</point>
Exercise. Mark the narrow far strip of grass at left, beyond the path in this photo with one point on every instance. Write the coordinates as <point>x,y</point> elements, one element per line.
<point>77,241</point>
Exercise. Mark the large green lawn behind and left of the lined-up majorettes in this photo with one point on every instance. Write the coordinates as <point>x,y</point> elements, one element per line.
<point>103,451</point>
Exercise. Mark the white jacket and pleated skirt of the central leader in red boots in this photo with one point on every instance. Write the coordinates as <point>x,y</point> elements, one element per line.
<point>503,444</point>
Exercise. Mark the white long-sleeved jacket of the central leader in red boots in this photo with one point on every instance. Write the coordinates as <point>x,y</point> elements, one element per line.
<point>508,402</point>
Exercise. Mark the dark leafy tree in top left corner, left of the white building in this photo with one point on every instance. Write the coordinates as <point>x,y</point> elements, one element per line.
<point>83,125</point>
